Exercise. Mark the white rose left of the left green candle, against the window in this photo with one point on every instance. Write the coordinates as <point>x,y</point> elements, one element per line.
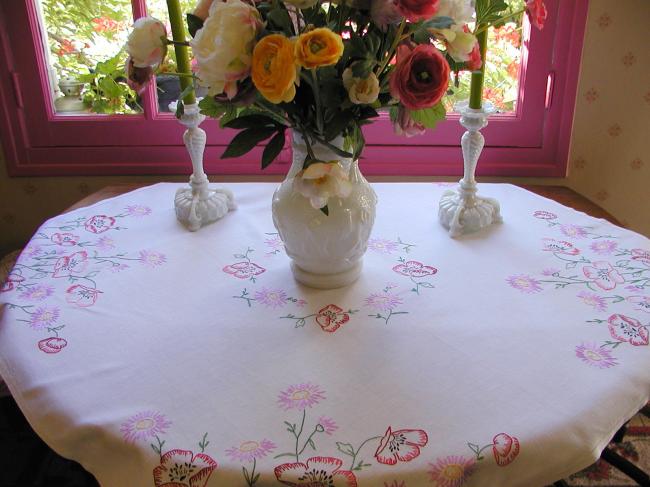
<point>146,43</point>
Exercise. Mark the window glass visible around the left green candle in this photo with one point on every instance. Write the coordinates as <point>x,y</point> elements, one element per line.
<point>168,86</point>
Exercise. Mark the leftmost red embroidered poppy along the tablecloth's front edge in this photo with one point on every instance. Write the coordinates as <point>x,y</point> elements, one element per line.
<point>181,468</point>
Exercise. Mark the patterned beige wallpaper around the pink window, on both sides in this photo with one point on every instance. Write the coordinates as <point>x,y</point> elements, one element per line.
<point>608,163</point>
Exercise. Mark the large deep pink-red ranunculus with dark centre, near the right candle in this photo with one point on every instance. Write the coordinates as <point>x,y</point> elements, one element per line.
<point>420,77</point>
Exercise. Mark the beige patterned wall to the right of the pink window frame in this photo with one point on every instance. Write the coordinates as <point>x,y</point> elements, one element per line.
<point>610,162</point>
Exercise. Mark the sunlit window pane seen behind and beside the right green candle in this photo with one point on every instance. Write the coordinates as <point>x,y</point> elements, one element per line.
<point>501,85</point>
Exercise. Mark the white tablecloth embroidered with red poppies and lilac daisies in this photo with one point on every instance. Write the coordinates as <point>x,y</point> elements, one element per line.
<point>153,355</point>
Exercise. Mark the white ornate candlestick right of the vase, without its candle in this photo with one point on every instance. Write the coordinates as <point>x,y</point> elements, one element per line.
<point>462,211</point>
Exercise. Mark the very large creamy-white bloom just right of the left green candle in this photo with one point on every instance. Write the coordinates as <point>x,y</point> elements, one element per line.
<point>223,47</point>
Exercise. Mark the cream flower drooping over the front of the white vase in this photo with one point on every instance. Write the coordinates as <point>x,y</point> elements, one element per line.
<point>322,181</point>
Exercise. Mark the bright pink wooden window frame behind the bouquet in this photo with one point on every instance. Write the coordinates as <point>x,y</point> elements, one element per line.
<point>36,141</point>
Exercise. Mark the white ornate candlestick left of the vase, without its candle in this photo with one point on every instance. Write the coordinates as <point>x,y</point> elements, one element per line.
<point>199,205</point>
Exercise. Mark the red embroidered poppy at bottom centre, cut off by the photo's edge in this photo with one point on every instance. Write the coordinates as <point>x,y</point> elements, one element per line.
<point>317,471</point>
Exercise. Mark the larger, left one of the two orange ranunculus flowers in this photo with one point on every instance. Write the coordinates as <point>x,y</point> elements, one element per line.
<point>274,68</point>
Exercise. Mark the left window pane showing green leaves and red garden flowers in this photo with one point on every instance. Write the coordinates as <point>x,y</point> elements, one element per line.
<point>85,50</point>
